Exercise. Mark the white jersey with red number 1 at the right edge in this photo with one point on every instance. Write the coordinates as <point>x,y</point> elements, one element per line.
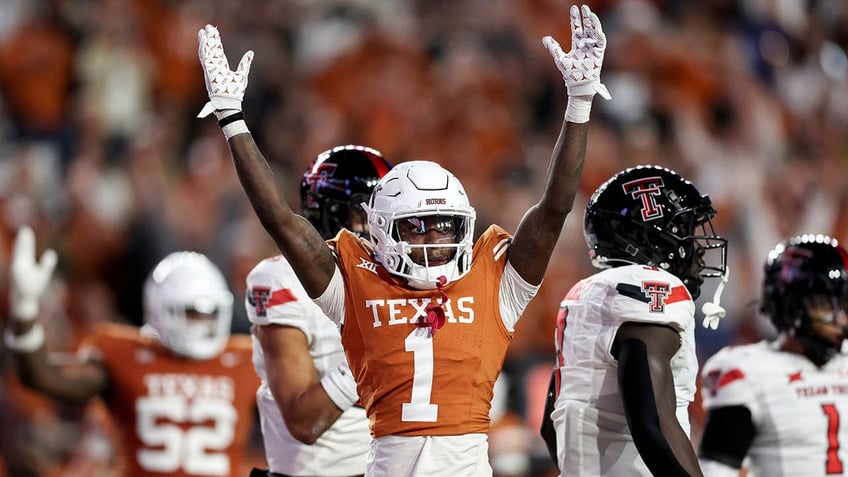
<point>797,408</point>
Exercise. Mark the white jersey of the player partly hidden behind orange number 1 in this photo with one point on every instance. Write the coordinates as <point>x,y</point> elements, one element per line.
<point>275,296</point>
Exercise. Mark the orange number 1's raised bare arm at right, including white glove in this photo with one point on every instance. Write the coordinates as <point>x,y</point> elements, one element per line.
<point>539,229</point>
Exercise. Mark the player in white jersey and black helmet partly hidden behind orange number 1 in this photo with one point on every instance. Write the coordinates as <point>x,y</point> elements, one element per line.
<point>310,423</point>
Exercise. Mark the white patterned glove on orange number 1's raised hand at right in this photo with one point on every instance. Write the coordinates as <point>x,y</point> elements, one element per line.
<point>581,67</point>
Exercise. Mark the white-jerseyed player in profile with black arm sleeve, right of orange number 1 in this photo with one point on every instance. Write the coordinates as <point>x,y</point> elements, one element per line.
<point>625,341</point>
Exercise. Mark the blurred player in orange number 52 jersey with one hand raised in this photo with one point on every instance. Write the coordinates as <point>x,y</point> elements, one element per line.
<point>181,389</point>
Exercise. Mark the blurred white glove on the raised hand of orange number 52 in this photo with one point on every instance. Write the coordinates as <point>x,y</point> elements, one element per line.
<point>29,278</point>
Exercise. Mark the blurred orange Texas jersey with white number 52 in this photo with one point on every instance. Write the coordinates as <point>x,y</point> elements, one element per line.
<point>177,416</point>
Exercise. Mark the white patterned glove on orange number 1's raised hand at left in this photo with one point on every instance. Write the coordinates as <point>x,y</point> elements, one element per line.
<point>225,87</point>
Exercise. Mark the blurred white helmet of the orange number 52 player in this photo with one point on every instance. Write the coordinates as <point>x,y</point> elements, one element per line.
<point>188,281</point>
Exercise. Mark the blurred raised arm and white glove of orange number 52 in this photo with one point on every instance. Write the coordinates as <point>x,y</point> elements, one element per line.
<point>69,380</point>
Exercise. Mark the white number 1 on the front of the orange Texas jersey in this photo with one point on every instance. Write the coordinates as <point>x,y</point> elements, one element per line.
<point>420,409</point>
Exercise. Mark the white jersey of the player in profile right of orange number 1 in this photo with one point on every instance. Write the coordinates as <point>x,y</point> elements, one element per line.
<point>593,438</point>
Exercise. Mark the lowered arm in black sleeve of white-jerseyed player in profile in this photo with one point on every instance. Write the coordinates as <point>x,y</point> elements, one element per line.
<point>646,382</point>
